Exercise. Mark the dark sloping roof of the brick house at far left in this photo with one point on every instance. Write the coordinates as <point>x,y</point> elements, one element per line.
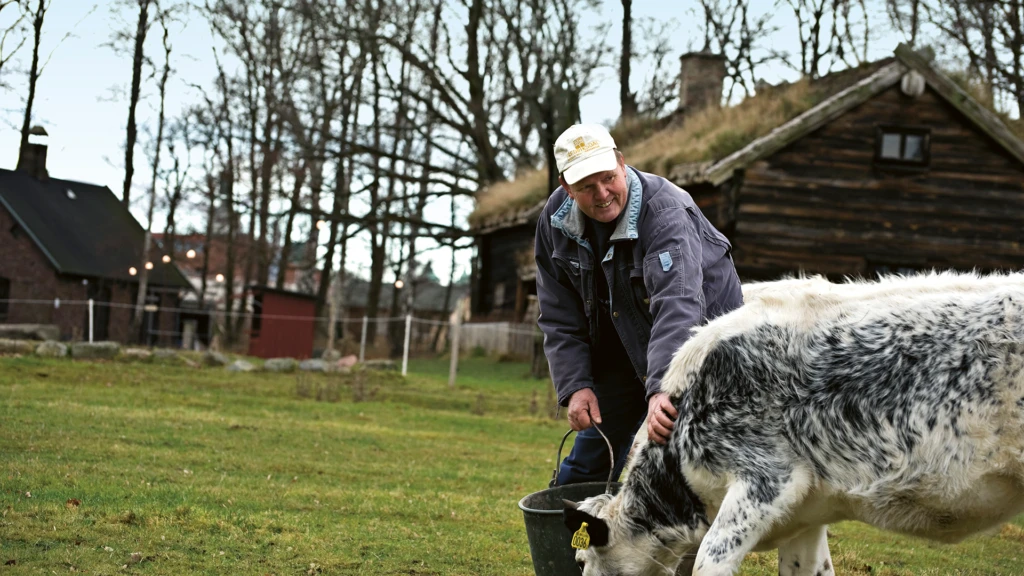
<point>82,229</point>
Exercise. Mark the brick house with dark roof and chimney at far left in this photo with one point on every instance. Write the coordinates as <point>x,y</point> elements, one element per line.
<point>64,242</point>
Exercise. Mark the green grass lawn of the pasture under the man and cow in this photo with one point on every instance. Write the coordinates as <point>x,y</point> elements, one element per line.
<point>149,469</point>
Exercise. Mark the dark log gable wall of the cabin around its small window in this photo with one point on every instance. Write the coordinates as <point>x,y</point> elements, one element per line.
<point>824,205</point>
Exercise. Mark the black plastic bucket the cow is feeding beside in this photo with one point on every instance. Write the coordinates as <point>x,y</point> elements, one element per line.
<point>549,540</point>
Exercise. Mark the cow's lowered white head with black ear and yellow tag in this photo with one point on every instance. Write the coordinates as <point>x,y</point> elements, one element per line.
<point>620,546</point>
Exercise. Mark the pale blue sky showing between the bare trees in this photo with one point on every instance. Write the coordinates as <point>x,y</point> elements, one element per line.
<point>82,95</point>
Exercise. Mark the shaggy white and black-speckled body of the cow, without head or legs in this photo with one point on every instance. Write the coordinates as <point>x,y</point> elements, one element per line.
<point>906,405</point>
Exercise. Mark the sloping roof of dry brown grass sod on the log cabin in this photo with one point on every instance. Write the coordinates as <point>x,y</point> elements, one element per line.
<point>708,136</point>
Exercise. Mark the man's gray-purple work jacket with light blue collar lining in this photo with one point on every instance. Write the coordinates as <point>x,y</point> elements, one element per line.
<point>668,270</point>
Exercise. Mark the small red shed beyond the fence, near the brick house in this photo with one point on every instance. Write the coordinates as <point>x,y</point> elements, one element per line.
<point>283,323</point>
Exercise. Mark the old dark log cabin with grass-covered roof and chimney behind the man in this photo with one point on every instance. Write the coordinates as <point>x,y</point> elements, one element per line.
<point>888,168</point>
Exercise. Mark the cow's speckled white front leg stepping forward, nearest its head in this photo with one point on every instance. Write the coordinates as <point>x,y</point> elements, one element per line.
<point>748,513</point>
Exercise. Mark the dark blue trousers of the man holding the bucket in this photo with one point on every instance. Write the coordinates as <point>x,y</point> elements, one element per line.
<point>622,415</point>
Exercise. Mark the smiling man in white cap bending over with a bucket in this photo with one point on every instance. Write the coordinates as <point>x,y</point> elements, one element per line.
<point>626,266</point>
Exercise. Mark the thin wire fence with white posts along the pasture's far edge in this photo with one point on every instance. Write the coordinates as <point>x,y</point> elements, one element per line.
<point>270,336</point>
